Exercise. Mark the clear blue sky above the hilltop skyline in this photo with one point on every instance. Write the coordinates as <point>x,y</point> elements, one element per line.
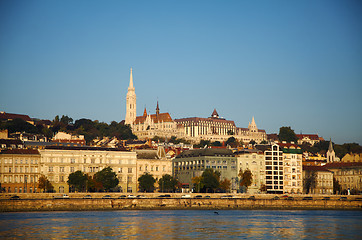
<point>287,63</point>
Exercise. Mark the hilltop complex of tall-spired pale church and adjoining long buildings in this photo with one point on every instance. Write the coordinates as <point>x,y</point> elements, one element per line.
<point>194,129</point>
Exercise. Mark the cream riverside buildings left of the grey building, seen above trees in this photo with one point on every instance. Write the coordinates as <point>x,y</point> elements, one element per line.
<point>21,168</point>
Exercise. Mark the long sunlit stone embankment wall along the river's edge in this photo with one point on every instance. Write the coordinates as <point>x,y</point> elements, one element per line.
<point>175,202</point>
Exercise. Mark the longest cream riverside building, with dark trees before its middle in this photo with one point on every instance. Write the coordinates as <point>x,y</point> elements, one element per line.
<point>58,162</point>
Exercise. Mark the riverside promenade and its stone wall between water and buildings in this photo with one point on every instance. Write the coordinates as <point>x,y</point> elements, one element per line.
<point>173,201</point>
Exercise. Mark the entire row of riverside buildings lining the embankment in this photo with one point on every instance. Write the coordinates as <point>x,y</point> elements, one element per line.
<point>277,168</point>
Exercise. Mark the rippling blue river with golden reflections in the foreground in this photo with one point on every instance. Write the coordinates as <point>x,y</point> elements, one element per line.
<point>182,224</point>
